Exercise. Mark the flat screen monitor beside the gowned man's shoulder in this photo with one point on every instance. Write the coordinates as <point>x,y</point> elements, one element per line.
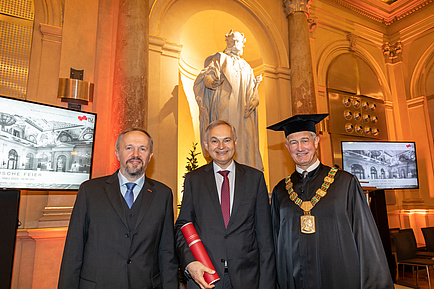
<point>382,164</point>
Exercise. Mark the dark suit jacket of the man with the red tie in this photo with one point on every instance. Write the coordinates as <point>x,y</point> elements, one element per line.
<point>247,243</point>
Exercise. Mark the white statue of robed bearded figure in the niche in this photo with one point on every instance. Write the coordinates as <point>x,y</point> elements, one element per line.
<point>227,89</point>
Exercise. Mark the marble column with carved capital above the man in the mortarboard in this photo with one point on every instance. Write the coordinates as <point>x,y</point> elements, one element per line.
<point>302,83</point>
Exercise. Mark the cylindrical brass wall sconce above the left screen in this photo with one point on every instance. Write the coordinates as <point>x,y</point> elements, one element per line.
<point>74,90</point>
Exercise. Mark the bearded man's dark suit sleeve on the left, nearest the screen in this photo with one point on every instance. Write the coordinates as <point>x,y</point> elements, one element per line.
<point>70,269</point>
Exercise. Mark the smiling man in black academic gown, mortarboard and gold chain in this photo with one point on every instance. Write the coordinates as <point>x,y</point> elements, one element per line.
<point>324,233</point>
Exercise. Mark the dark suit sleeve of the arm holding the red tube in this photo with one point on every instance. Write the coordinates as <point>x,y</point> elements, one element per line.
<point>185,215</point>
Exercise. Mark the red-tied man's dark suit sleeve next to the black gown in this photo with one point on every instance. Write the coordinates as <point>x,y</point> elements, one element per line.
<point>264,235</point>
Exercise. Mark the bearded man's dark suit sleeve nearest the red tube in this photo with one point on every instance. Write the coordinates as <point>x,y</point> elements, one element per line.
<point>167,255</point>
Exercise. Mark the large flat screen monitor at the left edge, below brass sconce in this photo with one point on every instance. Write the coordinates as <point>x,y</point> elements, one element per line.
<point>44,147</point>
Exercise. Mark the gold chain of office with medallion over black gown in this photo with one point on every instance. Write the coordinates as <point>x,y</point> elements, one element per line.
<point>307,221</point>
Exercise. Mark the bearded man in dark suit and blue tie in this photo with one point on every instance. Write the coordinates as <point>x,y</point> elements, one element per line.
<point>121,229</point>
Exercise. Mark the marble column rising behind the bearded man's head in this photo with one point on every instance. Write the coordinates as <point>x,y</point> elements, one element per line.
<point>130,84</point>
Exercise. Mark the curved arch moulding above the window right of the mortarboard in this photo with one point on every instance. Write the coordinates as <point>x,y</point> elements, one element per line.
<point>332,50</point>
